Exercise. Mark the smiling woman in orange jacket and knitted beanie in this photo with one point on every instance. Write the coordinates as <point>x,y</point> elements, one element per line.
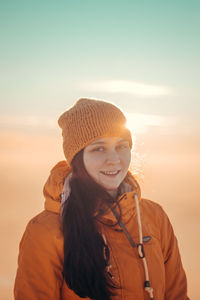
<point>97,238</point>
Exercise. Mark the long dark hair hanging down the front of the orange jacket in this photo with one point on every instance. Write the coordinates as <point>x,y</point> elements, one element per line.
<point>84,247</point>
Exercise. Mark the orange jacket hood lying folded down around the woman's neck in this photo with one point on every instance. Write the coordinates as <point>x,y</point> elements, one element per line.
<point>53,189</point>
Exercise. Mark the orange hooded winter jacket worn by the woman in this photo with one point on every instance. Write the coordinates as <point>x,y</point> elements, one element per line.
<point>40,263</point>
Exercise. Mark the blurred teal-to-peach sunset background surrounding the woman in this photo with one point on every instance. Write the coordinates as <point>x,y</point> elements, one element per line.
<point>142,56</point>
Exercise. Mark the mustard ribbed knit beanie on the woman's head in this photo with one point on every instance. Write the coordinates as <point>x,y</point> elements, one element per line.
<point>89,120</point>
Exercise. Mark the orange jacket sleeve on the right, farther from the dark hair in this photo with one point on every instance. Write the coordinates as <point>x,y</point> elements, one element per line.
<point>175,278</point>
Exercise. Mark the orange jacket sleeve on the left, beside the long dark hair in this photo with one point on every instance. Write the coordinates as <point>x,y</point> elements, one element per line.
<point>39,273</point>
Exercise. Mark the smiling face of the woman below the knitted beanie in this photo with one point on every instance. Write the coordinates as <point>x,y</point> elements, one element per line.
<point>107,161</point>
